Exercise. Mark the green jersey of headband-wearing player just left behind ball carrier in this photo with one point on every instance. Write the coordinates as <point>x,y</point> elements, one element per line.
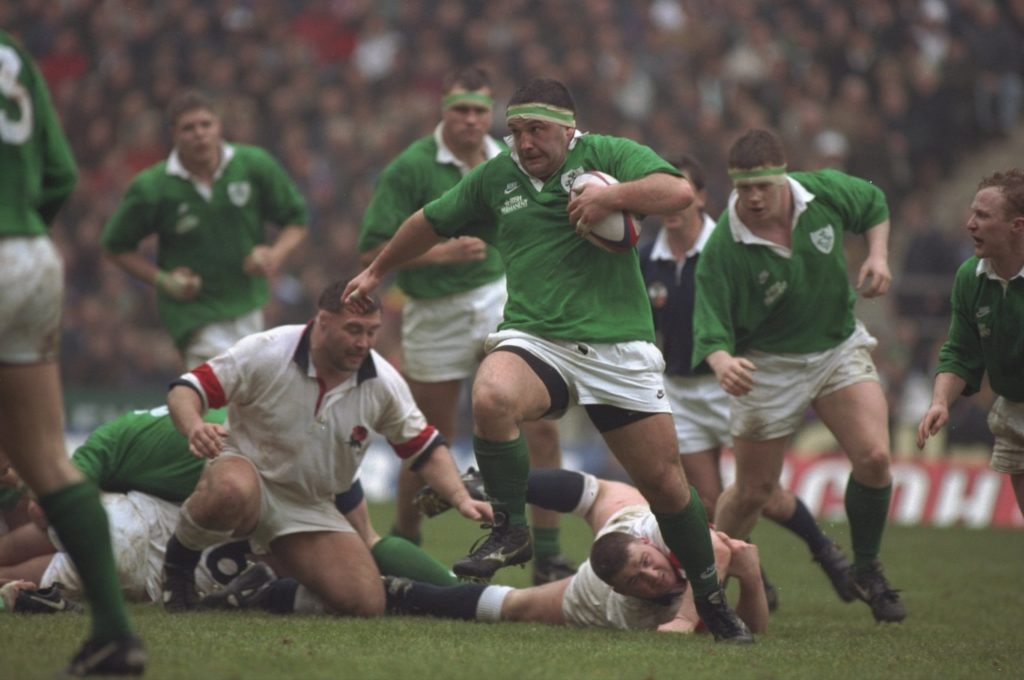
<point>418,176</point>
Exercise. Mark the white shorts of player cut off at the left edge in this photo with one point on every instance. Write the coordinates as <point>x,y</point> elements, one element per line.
<point>31,301</point>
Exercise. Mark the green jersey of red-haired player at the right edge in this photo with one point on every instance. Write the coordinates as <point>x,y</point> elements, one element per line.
<point>987,332</point>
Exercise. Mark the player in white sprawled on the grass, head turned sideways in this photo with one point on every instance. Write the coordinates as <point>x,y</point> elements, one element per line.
<point>631,581</point>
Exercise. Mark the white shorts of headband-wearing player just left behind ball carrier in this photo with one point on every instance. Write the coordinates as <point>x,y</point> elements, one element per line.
<point>443,339</point>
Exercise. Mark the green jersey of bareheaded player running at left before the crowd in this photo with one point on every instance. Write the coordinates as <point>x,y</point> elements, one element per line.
<point>212,236</point>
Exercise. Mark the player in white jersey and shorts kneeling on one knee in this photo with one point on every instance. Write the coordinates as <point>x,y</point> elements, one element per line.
<point>302,401</point>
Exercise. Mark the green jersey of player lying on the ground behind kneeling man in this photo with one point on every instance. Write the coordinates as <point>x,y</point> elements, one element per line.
<point>143,451</point>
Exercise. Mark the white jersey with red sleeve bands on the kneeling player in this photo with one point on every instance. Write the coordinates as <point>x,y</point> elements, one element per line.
<point>301,438</point>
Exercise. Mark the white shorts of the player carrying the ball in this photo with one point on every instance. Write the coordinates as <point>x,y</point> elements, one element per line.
<point>627,375</point>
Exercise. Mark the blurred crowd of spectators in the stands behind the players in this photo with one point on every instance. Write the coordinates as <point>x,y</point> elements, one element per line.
<point>903,93</point>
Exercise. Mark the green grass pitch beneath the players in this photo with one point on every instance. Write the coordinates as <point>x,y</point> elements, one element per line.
<point>963,590</point>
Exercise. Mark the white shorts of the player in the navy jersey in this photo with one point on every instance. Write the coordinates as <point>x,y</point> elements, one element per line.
<point>701,412</point>
